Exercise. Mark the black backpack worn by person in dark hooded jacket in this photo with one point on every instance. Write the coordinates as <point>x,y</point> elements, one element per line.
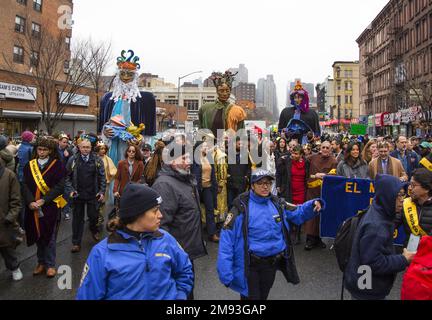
<point>344,239</point>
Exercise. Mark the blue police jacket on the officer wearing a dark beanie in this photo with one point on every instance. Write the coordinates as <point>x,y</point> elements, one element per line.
<point>122,267</point>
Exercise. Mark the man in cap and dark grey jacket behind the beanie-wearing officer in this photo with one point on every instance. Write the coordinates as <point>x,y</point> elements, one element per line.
<point>181,206</point>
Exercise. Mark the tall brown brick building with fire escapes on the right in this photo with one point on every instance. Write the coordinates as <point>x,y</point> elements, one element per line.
<point>395,62</point>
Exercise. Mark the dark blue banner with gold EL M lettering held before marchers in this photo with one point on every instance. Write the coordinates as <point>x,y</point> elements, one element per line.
<point>344,198</point>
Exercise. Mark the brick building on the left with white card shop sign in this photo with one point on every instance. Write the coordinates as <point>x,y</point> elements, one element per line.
<point>22,21</point>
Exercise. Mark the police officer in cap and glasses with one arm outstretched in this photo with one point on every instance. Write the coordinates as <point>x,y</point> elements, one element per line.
<point>254,241</point>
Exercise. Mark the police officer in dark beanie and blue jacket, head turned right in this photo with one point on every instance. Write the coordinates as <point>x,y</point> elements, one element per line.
<point>138,261</point>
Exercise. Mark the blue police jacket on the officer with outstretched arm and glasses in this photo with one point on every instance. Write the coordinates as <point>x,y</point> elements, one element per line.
<point>265,236</point>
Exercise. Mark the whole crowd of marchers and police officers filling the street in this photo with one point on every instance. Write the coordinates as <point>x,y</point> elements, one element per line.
<point>161,203</point>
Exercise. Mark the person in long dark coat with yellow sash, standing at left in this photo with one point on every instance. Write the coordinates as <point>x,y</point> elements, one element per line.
<point>44,181</point>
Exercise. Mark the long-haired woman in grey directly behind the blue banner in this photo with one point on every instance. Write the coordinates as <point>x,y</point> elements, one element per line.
<point>353,166</point>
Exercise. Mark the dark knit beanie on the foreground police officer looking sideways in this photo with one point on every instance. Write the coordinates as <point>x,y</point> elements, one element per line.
<point>137,199</point>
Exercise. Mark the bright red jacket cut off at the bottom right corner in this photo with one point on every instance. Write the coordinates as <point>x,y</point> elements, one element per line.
<point>417,282</point>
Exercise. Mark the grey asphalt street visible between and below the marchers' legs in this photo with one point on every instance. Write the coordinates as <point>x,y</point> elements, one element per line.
<point>319,274</point>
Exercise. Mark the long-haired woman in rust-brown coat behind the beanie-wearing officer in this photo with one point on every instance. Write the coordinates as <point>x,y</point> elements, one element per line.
<point>129,170</point>
